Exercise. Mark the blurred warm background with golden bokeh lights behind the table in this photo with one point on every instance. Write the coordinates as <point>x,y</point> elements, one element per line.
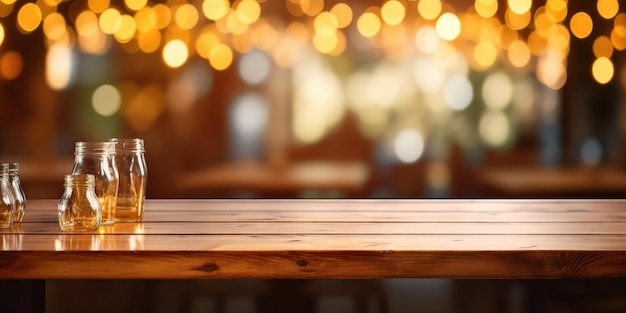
<point>320,98</point>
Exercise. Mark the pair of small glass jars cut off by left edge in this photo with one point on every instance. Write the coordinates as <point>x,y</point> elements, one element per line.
<point>12,197</point>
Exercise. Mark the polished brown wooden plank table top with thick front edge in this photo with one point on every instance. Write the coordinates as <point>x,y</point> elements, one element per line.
<point>301,239</point>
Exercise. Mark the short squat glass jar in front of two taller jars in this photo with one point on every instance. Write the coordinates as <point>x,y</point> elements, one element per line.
<point>79,208</point>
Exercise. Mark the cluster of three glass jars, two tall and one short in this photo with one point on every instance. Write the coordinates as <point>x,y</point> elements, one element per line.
<point>107,185</point>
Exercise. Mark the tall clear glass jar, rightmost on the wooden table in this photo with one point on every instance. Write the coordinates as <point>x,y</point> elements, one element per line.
<point>133,174</point>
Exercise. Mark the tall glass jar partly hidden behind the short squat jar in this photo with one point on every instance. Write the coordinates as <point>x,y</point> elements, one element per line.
<point>98,159</point>
